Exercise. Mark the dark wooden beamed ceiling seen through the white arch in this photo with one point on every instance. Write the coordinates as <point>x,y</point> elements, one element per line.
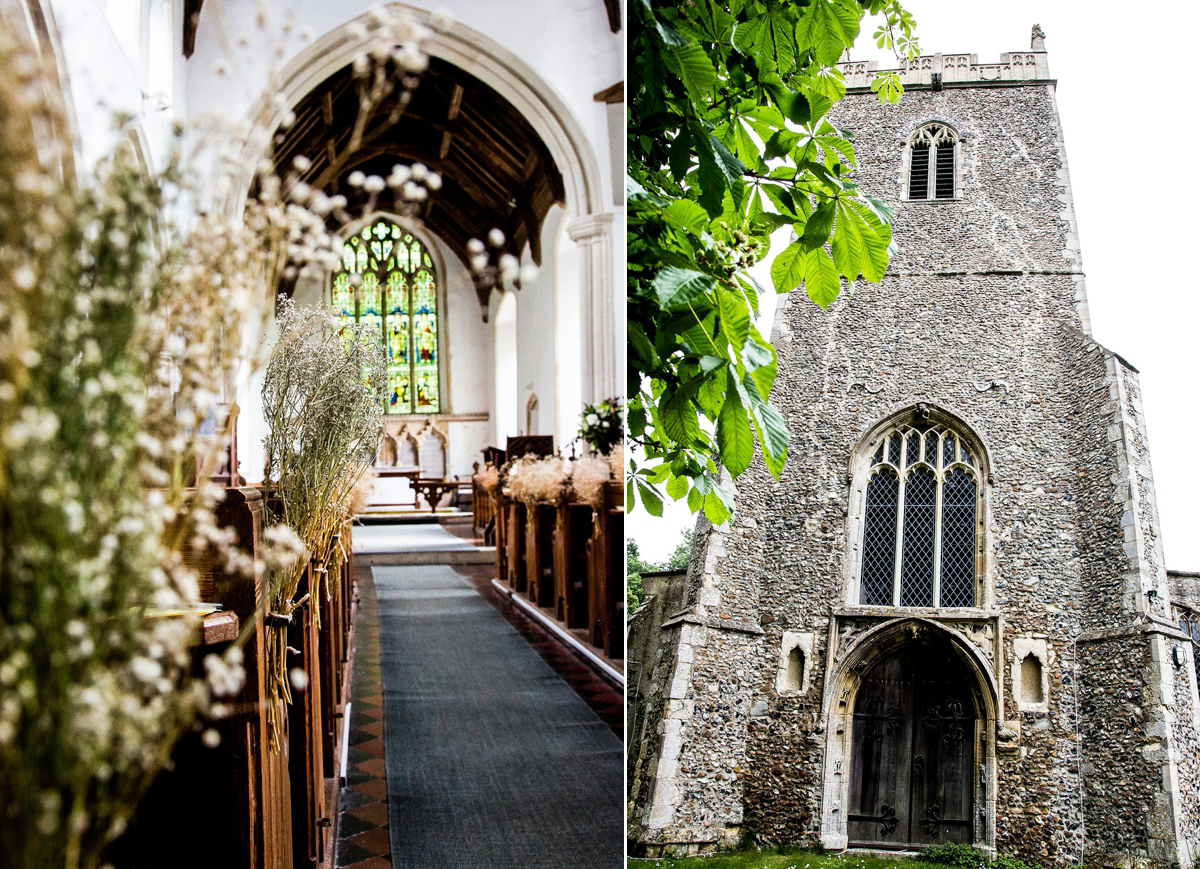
<point>496,172</point>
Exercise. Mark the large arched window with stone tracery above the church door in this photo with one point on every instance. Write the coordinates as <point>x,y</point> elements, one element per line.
<point>921,520</point>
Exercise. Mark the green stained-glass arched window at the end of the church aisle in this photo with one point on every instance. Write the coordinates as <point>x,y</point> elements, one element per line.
<point>398,292</point>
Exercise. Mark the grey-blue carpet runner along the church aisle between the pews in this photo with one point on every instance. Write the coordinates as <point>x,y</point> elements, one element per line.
<point>494,760</point>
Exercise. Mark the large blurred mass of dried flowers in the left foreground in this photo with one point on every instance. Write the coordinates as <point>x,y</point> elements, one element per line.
<point>118,332</point>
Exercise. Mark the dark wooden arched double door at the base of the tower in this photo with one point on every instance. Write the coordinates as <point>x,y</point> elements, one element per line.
<point>913,752</point>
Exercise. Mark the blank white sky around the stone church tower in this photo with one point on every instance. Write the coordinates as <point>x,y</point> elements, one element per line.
<point>1125,98</point>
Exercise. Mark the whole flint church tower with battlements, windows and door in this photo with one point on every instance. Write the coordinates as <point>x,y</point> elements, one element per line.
<point>950,621</point>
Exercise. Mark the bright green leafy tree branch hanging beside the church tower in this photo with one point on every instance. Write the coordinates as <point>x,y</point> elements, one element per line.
<point>730,141</point>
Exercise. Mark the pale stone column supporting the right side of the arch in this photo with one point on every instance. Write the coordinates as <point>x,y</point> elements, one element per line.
<point>598,316</point>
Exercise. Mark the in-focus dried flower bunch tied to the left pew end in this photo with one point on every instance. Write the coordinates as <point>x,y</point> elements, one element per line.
<point>323,400</point>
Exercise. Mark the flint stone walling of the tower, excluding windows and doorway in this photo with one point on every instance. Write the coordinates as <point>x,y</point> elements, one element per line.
<point>982,316</point>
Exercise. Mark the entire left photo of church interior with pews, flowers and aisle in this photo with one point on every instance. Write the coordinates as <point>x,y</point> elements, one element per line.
<point>369,260</point>
